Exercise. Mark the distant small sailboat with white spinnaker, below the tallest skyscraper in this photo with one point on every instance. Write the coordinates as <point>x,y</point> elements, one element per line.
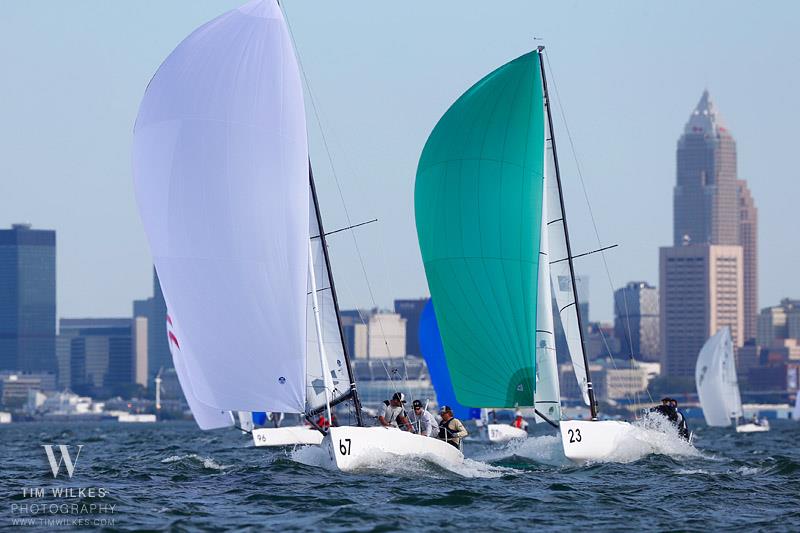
<point>717,386</point>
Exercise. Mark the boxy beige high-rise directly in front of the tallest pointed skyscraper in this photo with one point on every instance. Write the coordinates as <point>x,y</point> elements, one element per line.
<point>701,292</point>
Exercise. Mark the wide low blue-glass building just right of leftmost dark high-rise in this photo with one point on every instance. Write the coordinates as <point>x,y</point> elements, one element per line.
<point>100,353</point>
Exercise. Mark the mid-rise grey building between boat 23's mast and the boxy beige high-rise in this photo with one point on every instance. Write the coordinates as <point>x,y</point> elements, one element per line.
<point>636,320</point>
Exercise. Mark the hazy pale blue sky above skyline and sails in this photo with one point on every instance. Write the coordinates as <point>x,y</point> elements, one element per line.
<point>627,73</point>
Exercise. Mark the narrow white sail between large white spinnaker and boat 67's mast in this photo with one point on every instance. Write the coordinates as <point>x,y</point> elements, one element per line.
<point>331,336</point>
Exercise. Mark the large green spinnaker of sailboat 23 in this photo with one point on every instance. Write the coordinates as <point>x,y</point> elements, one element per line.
<point>478,204</point>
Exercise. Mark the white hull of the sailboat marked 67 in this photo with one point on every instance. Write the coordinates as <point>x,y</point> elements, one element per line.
<point>350,448</point>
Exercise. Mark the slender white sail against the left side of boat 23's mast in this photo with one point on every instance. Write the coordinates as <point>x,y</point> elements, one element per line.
<point>559,269</point>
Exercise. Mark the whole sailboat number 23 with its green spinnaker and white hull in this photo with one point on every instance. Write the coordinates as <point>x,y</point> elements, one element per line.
<point>484,199</point>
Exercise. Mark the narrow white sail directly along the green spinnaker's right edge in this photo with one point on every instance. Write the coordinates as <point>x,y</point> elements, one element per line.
<point>547,397</point>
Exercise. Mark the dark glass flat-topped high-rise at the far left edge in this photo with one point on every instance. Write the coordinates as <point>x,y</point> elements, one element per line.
<point>28,299</point>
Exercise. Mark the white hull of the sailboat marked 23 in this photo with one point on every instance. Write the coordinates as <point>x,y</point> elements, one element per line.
<point>592,440</point>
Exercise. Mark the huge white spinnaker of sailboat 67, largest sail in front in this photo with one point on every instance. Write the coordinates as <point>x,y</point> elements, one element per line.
<point>221,177</point>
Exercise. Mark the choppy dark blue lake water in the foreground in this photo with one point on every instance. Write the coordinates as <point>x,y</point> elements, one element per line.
<point>173,476</point>
